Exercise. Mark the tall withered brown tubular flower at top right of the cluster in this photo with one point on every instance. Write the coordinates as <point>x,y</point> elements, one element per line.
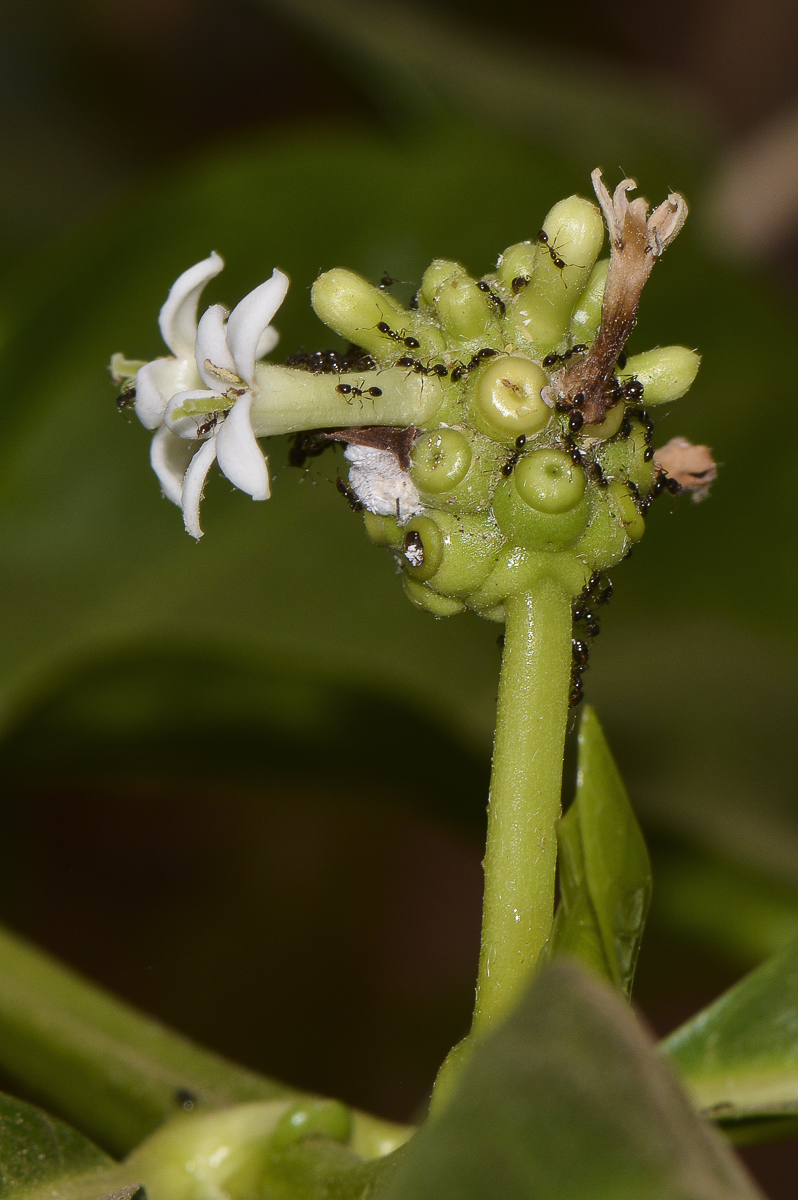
<point>637,242</point>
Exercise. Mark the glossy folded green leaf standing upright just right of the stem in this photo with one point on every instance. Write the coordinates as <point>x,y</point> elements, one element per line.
<point>605,873</point>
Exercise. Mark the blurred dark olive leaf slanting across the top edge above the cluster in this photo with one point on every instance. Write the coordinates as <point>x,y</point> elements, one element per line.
<point>419,63</point>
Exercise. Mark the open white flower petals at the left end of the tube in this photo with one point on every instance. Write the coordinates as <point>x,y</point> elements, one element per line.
<point>211,373</point>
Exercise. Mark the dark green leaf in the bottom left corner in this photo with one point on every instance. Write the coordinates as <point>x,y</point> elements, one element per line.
<point>40,1154</point>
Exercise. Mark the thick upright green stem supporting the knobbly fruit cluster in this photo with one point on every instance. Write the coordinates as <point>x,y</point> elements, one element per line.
<point>526,783</point>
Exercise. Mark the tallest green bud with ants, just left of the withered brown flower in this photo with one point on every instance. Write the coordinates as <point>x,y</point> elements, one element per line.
<point>568,248</point>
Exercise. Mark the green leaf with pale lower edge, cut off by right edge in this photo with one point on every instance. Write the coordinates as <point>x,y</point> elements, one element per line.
<point>740,1057</point>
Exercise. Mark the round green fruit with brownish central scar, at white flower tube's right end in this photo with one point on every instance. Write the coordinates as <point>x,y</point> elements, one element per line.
<point>508,401</point>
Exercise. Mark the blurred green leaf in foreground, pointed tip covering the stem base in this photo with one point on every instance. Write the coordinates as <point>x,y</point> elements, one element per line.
<point>568,1099</point>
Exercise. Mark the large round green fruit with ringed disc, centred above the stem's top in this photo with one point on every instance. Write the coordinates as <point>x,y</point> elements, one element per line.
<point>544,505</point>
